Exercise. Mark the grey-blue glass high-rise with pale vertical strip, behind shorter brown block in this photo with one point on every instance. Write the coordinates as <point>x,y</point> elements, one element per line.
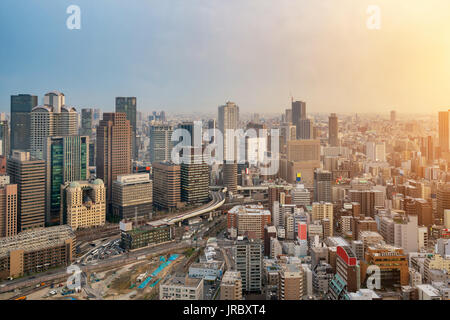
<point>161,145</point>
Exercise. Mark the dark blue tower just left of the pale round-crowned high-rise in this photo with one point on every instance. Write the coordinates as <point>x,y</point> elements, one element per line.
<point>21,106</point>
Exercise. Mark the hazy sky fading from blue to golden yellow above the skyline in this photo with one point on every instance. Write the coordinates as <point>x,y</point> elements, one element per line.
<point>184,55</point>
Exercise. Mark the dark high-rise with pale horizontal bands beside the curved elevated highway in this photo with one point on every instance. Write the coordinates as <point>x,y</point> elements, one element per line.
<point>194,177</point>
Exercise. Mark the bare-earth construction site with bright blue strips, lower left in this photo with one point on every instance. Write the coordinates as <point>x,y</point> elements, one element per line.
<point>139,280</point>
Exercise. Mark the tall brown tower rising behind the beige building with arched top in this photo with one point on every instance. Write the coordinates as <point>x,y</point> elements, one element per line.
<point>113,149</point>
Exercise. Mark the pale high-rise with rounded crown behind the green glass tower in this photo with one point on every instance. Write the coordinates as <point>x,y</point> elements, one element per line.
<point>54,118</point>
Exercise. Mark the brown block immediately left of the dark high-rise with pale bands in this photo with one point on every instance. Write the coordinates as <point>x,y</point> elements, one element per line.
<point>166,185</point>
